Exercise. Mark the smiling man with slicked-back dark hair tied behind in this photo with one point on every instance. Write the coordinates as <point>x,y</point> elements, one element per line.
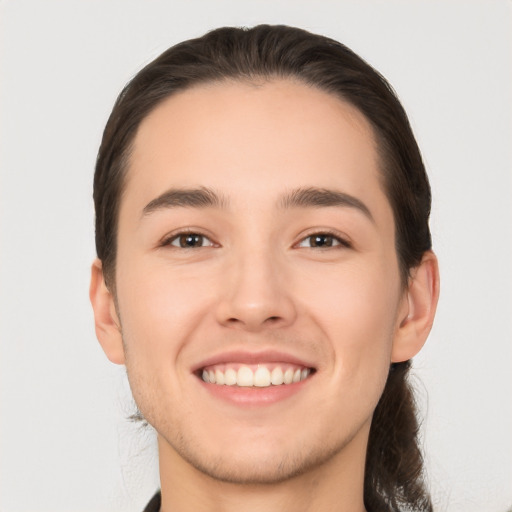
<point>264,272</point>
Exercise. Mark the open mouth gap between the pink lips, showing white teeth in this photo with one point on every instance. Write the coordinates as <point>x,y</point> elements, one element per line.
<point>259,375</point>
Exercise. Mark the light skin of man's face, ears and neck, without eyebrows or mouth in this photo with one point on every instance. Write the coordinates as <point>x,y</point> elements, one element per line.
<point>256,282</point>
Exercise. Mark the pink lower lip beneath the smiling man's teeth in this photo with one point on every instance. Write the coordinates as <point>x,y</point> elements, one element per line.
<point>254,396</point>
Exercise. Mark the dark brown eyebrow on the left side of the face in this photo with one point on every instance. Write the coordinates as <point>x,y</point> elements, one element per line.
<point>201,197</point>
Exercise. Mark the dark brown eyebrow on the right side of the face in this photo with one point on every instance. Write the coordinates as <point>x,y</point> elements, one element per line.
<point>312,197</point>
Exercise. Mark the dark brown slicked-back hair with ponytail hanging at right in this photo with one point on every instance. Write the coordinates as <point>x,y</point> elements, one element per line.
<point>394,465</point>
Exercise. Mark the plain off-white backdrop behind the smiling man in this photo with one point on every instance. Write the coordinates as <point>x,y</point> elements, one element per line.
<point>65,442</point>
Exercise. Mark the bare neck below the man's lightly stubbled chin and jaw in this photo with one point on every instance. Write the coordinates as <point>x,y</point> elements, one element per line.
<point>337,484</point>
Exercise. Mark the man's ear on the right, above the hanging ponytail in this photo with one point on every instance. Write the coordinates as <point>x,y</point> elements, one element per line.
<point>417,310</point>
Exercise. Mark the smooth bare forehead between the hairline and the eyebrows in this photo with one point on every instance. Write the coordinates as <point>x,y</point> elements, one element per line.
<point>257,139</point>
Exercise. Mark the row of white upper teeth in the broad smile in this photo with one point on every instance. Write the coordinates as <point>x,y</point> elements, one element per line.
<point>261,376</point>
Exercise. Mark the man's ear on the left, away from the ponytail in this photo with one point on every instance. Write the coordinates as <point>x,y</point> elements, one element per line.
<point>106,321</point>
